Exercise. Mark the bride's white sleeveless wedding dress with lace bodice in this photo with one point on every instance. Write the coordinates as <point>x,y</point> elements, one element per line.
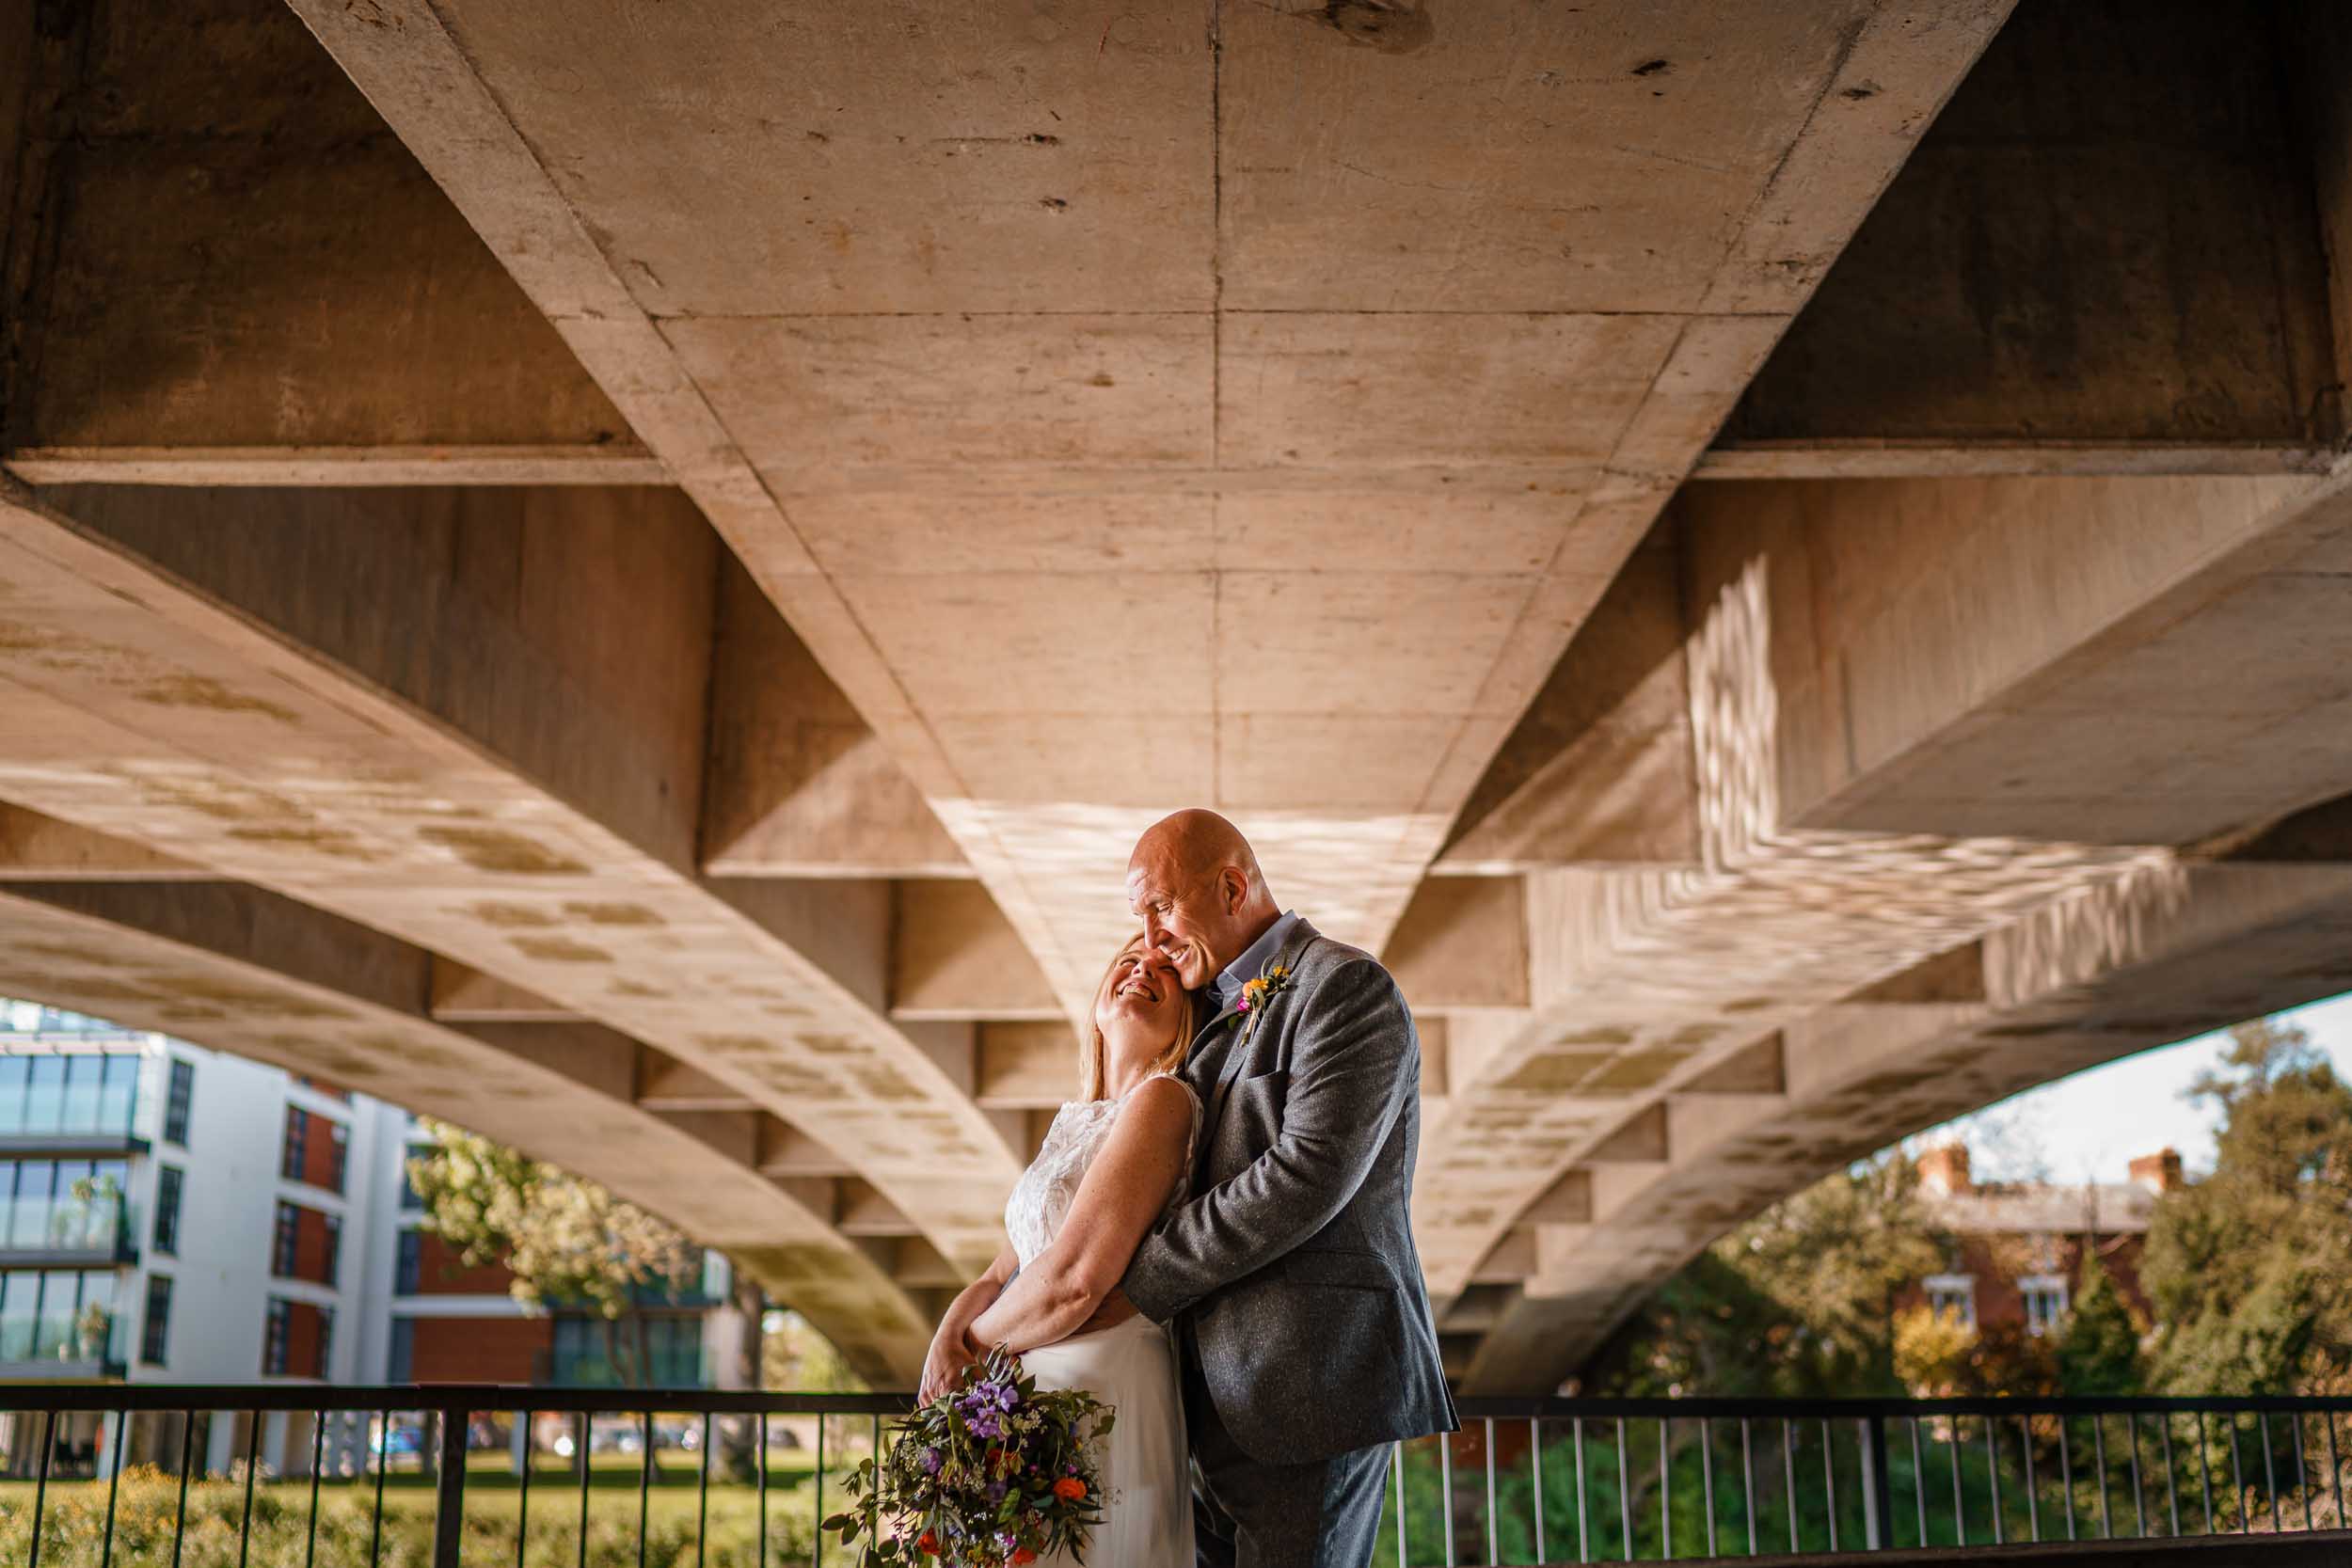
<point>1130,1367</point>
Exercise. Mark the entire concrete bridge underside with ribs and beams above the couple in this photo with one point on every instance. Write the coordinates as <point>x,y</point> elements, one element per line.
<point>1789,570</point>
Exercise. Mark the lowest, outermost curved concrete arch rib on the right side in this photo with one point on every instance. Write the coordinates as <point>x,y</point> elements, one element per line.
<point>2125,967</point>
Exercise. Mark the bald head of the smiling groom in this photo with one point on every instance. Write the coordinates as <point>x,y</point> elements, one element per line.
<point>1198,890</point>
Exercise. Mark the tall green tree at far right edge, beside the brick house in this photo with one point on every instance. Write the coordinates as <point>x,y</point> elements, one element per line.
<point>2247,1268</point>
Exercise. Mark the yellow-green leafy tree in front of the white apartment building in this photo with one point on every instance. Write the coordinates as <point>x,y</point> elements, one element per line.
<point>563,1238</point>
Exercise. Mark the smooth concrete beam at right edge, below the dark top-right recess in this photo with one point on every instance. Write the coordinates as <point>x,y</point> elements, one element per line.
<point>2045,659</point>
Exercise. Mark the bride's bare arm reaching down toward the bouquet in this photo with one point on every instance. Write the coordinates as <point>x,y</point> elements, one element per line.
<point>1121,1198</point>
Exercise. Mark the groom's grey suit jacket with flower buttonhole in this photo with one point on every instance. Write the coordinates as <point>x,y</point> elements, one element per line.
<point>1292,1273</point>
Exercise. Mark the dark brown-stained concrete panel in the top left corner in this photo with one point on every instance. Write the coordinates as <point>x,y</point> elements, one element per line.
<point>262,295</point>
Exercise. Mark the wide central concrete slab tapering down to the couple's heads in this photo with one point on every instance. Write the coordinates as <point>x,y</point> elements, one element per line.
<point>933,314</point>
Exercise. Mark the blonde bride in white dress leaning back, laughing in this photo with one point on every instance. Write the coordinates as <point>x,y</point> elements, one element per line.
<point>1114,1165</point>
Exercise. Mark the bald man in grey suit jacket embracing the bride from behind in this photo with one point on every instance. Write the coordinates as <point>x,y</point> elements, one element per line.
<point>1292,1278</point>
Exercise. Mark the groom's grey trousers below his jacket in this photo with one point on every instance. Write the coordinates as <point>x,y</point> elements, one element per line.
<point>1257,1515</point>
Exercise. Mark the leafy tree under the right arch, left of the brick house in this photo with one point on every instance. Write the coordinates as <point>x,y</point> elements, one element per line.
<point>1796,1304</point>
